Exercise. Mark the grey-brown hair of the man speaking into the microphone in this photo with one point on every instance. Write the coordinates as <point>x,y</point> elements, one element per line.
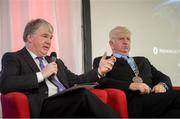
<point>33,25</point>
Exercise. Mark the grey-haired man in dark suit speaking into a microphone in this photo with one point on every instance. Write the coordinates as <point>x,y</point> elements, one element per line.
<point>32,72</point>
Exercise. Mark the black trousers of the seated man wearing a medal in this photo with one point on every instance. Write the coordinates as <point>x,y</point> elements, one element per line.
<point>164,105</point>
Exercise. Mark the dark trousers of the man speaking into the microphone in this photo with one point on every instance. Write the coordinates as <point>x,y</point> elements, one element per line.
<point>77,103</point>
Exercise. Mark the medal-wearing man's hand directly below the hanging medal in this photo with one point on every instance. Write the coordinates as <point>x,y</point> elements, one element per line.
<point>142,87</point>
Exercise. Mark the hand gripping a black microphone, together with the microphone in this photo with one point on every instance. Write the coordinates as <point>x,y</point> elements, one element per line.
<point>51,68</point>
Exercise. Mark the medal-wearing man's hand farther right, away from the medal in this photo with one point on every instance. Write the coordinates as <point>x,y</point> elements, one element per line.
<point>159,88</point>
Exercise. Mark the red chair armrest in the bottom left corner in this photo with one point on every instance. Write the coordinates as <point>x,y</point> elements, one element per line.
<point>15,105</point>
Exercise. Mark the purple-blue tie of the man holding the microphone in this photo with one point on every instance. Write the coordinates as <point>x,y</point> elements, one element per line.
<point>58,84</point>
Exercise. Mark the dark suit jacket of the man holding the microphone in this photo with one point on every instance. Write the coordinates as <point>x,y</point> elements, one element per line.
<point>19,74</point>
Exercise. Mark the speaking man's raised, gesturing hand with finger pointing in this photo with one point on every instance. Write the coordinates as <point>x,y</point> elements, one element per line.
<point>106,65</point>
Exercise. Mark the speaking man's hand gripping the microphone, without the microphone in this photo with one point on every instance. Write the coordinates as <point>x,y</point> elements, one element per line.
<point>49,69</point>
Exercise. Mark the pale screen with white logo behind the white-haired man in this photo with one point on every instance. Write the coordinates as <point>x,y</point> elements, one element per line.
<point>155,27</point>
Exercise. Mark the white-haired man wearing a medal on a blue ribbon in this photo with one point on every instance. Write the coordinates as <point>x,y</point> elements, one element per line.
<point>149,91</point>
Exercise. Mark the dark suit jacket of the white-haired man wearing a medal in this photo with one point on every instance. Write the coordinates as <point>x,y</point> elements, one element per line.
<point>121,75</point>
